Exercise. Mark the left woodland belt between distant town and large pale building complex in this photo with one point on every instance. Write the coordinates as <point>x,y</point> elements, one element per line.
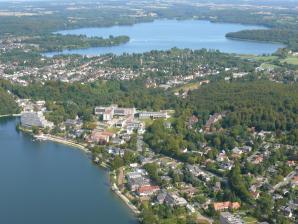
<point>77,98</point>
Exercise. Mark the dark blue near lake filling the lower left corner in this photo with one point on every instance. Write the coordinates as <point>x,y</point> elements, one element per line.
<point>49,183</point>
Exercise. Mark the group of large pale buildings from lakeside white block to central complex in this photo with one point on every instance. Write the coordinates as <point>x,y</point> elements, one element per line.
<point>115,125</point>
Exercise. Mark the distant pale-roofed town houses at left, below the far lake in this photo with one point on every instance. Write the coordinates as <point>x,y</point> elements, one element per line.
<point>59,69</point>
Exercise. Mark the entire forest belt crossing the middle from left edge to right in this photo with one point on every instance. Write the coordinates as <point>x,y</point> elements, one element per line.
<point>264,105</point>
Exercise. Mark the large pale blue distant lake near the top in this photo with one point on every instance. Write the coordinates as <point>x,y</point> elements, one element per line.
<point>166,34</point>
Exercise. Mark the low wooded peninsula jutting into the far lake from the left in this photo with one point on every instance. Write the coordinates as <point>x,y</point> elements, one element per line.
<point>59,42</point>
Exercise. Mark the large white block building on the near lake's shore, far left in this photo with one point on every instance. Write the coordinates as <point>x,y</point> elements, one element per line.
<point>34,119</point>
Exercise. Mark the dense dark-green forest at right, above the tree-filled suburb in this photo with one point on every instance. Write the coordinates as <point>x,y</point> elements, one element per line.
<point>261,104</point>
